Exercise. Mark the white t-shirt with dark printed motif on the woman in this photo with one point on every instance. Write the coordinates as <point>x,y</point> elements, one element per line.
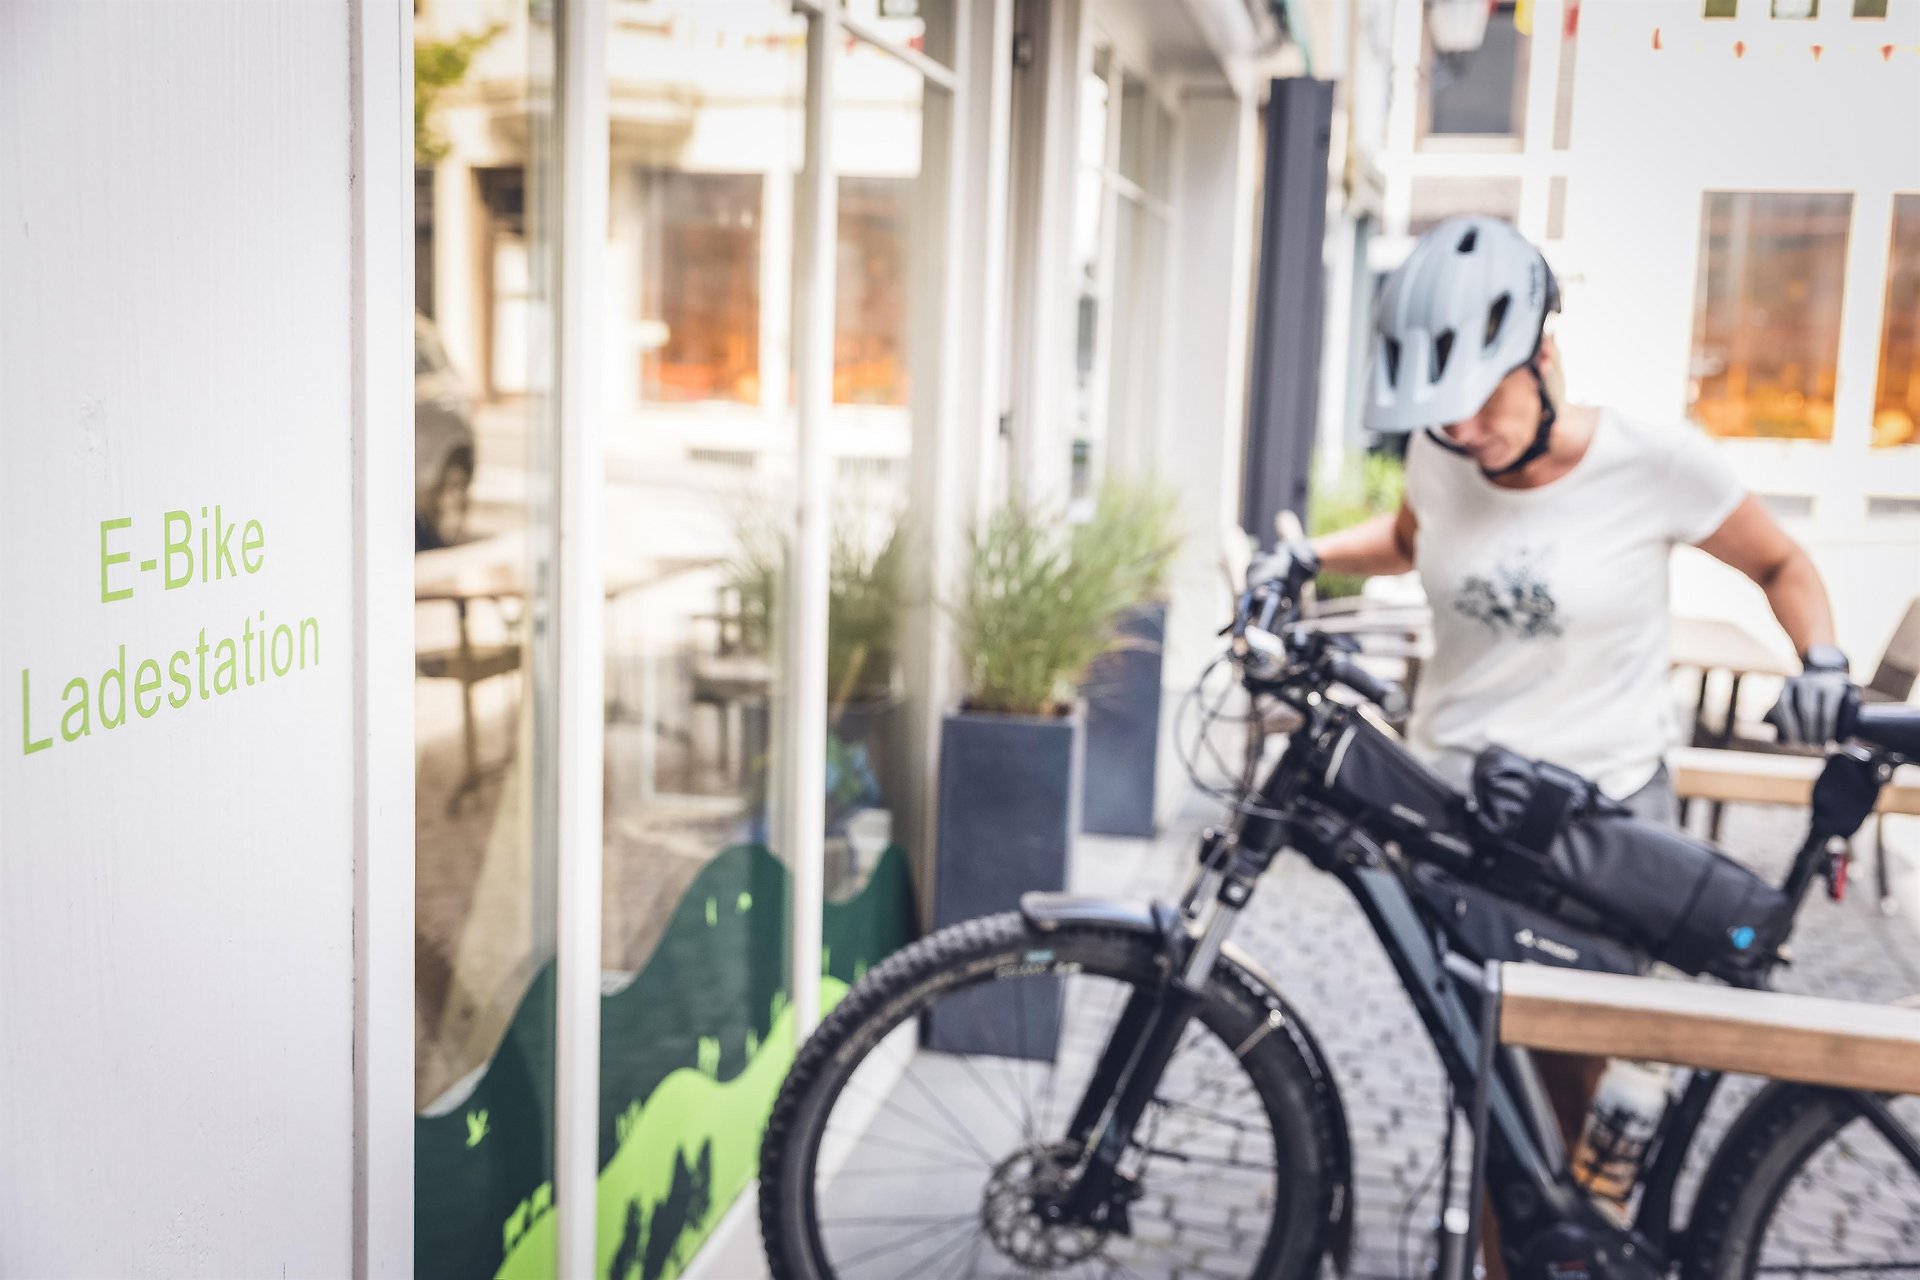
<point>1550,604</point>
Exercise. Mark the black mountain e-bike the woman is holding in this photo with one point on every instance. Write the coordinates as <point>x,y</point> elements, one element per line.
<point>1113,1089</point>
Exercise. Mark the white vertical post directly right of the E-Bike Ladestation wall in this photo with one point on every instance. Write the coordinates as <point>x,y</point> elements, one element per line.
<point>383,652</point>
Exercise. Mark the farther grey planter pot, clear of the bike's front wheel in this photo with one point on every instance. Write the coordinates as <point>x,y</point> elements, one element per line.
<point>1122,696</point>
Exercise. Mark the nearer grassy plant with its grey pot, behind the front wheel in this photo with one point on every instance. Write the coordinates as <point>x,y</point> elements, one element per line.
<point>1036,609</point>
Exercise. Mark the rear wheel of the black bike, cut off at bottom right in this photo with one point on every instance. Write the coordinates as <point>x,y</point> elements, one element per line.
<point>1808,1185</point>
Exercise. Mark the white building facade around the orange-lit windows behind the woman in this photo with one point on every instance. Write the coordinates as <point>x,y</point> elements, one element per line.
<point>1656,128</point>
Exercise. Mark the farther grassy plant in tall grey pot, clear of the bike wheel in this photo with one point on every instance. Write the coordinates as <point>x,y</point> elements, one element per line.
<point>1134,529</point>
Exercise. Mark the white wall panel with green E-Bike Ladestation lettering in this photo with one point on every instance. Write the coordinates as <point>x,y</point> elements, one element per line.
<point>178,891</point>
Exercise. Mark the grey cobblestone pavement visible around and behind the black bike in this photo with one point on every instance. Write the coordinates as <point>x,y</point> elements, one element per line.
<point>1308,932</point>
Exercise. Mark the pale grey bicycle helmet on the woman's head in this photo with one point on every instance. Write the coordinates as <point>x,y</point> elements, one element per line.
<point>1466,310</point>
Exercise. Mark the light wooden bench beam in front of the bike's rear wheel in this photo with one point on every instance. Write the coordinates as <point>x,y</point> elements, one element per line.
<point>1833,1043</point>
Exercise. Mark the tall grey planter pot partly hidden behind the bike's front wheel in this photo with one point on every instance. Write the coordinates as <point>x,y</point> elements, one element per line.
<point>1009,813</point>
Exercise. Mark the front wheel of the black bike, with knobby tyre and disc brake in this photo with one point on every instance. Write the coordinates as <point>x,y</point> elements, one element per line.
<point>934,1110</point>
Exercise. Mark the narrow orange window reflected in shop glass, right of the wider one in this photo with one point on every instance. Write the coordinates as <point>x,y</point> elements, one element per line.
<point>871,318</point>
